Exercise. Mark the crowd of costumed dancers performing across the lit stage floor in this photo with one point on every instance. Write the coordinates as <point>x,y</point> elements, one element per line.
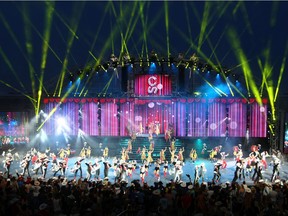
<point>246,167</point>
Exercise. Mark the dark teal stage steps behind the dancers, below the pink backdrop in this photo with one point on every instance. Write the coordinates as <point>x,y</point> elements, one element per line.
<point>159,143</point>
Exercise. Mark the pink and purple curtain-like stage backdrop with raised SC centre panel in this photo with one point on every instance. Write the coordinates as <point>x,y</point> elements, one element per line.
<point>153,107</point>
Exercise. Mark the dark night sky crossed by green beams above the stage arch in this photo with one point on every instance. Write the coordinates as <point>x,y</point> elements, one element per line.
<point>260,30</point>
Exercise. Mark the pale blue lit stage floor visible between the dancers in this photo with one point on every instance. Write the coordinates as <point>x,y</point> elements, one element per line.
<point>227,173</point>
